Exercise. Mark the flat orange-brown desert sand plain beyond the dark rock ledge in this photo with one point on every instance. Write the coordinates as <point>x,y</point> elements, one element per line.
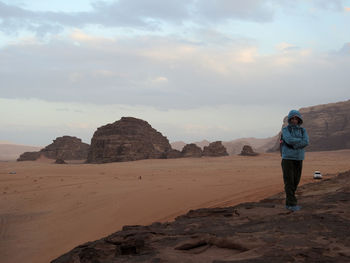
<point>47,209</point>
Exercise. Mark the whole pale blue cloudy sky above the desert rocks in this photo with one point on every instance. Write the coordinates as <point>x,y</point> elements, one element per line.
<point>194,69</point>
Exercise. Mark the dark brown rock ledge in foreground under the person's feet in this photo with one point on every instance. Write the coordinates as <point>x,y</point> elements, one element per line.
<point>250,232</point>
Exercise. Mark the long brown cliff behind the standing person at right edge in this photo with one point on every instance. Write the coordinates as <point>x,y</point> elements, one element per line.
<point>328,126</point>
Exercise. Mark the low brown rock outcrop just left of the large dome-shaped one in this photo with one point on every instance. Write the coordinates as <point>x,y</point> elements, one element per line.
<point>66,148</point>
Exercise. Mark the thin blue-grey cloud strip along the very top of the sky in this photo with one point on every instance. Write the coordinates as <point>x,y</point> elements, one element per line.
<point>148,15</point>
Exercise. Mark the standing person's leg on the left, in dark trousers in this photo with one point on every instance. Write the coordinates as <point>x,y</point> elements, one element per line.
<point>288,178</point>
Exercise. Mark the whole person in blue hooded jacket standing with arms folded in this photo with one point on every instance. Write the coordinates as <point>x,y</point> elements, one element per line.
<point>294,139</point>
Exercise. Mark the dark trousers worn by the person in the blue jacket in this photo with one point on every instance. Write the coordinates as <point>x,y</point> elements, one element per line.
<point>291,177</point>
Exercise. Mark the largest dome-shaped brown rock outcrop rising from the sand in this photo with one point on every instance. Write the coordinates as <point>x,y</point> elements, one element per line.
<point>128,139</point>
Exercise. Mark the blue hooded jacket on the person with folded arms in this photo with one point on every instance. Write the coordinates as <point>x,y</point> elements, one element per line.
<point>295,139</point>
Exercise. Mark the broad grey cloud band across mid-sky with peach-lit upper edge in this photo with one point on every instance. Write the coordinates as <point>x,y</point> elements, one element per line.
<point>168,73</point>
